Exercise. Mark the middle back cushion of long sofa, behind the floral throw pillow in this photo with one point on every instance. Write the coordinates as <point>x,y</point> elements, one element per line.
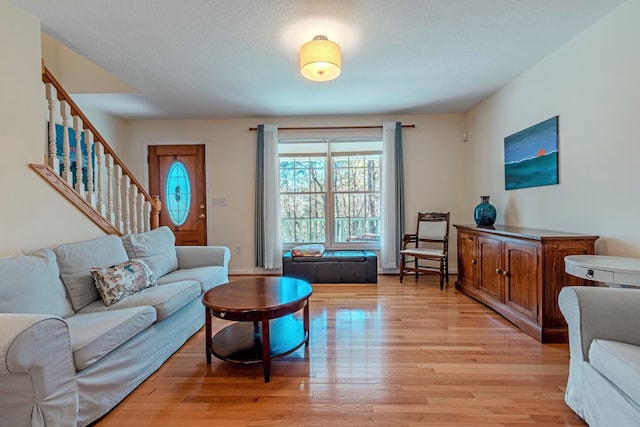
<point>75,260</point>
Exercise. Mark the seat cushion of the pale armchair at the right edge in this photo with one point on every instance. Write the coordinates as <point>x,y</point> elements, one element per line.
<point>619,363</point>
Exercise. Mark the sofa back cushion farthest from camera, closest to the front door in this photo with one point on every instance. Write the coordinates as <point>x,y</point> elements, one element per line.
<point>155,247</point>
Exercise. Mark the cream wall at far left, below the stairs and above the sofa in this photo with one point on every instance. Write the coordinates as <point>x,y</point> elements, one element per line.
<point>32,214</point>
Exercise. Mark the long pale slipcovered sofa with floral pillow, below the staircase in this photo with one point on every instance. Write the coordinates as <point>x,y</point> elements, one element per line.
<point>66,358</point>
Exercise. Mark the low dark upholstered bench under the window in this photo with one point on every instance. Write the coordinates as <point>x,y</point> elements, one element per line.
<point>353,266</point>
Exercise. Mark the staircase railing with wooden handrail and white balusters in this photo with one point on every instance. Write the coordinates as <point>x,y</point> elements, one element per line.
<point>83,168</point>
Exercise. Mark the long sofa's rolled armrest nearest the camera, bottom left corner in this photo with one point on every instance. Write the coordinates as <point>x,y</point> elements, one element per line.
<point>37,374</point>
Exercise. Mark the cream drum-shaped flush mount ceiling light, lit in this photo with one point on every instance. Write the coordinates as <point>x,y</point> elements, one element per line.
<point>320,59</point>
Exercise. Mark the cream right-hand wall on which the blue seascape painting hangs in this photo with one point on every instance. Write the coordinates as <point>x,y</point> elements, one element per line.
<point>593,84</point>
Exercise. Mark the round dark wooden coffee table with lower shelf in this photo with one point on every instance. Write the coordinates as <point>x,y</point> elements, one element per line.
<point>263,308</point>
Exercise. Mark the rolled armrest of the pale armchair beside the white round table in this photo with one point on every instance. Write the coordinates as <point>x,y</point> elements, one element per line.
<point>597,312</point>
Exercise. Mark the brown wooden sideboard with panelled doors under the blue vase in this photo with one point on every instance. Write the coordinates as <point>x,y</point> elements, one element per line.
<point>519,272</point>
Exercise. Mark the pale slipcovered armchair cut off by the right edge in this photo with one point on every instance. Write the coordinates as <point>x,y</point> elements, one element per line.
<point>604,344</point>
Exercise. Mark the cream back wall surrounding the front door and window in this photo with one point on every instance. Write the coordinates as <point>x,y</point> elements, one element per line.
<point>432,154</point>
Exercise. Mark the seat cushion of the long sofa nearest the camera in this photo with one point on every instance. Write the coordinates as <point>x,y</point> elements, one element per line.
<point>94,335</point>
